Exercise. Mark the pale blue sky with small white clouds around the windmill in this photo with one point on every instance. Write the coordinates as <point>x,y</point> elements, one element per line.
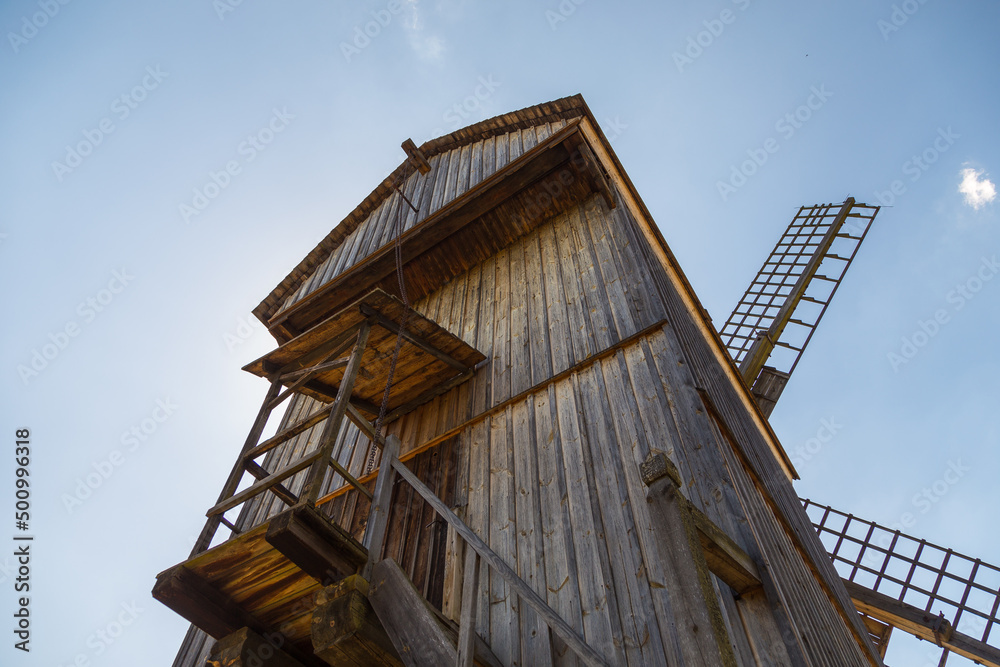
<point>165,165</point>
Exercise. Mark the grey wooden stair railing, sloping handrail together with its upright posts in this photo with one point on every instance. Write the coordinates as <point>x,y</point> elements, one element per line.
<point>476,551</point>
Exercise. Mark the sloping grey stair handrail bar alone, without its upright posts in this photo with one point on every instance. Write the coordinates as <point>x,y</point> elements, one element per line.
<point>560,627</point>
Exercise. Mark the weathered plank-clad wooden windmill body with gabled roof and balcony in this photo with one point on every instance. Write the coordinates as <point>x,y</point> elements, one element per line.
<point>512,437</point>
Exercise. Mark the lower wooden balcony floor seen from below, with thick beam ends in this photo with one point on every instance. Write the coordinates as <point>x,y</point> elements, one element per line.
<point>265,579</point>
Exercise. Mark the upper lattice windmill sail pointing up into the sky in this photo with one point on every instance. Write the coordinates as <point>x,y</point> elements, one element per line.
<point>796,284</point>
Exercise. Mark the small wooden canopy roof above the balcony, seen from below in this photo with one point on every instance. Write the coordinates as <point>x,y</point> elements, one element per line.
<point>431,360</point>
